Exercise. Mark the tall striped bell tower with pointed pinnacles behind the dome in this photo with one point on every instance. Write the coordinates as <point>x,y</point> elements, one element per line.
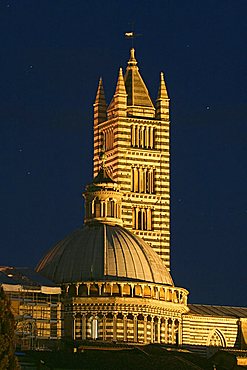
<point>133,134</point>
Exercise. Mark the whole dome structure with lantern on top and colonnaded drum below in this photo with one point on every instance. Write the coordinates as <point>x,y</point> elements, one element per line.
<point>131,296</point>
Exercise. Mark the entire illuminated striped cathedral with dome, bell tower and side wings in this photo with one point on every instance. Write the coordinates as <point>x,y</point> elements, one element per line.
<point>110,280</point>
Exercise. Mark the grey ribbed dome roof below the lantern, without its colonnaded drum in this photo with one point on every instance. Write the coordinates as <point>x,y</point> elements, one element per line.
<point>100,251</point>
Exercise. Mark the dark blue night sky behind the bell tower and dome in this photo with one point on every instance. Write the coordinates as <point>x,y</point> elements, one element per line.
<point>52,55</point>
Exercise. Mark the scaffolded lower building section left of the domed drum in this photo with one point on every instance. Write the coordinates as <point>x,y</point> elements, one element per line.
<point>36,305</point>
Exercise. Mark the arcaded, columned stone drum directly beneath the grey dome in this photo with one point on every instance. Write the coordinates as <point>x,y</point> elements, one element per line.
<point>125,312</point>
